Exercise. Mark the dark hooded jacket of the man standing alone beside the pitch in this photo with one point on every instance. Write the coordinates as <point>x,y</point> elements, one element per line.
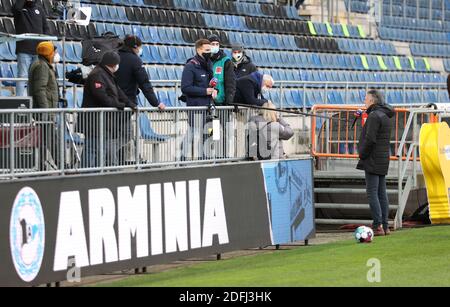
<point>374,141</point>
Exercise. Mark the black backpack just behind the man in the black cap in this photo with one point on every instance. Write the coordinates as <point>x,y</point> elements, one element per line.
<point>93,49</point>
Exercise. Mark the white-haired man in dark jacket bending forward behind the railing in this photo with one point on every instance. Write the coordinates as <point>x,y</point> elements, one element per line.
<point>252,88</point>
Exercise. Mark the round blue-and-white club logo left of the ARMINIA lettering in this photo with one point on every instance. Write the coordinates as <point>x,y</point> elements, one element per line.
<point>27,234</point>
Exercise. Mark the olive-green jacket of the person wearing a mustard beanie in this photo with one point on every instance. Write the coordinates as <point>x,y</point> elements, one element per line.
<point>42,85</point>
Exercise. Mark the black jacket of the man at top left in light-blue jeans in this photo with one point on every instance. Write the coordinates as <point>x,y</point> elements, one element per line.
<point>29,18</point>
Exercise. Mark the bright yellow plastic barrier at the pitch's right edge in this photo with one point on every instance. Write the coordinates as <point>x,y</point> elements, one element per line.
<point>435,160</point>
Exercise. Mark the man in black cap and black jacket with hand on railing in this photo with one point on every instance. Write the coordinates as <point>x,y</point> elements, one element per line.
<point>102,91</point>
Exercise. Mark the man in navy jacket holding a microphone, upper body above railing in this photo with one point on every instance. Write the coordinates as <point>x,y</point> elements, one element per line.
<point>197,74</point>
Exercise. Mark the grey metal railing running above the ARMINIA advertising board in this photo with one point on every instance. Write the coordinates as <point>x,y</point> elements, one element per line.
<point>69,141</point>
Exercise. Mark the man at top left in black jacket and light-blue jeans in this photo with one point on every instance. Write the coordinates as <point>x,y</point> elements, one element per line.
<point>29,17</point>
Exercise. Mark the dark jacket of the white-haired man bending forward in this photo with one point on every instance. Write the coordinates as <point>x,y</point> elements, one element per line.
<point>248,89</point>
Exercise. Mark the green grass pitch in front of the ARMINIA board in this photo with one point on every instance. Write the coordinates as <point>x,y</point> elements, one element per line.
<point>415,257</point>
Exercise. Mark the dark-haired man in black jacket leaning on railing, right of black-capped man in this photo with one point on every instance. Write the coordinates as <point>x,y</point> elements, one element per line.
<point>132,75</point>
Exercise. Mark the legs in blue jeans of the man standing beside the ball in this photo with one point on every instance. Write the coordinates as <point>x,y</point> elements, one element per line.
<point>378,199</point>
